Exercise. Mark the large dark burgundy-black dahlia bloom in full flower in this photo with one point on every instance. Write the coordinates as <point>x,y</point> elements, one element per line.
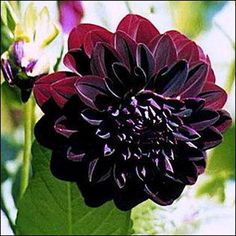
<point>134,118</point>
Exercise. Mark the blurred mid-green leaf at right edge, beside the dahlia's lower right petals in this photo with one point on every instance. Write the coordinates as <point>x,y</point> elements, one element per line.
<point>222,159</point>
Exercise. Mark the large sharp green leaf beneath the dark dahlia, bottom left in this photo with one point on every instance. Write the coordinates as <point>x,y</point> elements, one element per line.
<point>55,207</point>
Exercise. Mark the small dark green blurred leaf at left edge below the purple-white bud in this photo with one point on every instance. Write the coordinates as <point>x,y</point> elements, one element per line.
<point>12,95</point>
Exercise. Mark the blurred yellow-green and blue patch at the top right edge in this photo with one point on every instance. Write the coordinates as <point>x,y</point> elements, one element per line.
<point>193,17</point>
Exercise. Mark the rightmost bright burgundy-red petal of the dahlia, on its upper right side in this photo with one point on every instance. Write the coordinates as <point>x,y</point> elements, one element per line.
<point>214,96</point>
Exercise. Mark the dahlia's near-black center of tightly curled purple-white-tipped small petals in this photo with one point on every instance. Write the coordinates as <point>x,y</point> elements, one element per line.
<point>142,127</point>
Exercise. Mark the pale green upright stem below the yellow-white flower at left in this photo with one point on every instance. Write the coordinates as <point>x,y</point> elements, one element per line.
<point>28,131</point>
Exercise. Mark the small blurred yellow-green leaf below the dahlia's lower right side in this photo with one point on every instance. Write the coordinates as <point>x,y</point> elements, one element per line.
<point>213,187</point>
